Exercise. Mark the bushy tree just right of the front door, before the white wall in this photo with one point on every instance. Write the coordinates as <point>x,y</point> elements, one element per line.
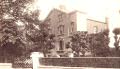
<point>79,43</point>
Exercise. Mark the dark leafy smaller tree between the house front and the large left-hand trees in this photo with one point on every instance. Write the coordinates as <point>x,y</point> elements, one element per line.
<point>42,40</point>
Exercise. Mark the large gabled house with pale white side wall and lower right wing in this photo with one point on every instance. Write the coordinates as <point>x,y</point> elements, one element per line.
<point>63,24</point>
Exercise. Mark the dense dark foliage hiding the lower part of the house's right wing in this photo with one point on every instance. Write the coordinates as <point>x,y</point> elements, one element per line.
<point>96,43</point>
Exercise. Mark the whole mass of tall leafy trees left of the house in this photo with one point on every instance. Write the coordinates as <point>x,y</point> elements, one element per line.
<point>21,28</point>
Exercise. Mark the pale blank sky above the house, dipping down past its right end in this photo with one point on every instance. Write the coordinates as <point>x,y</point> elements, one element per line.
<point>96,9</point>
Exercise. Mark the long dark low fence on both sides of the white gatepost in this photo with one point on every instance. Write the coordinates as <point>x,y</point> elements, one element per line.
<point>99,62</point>
